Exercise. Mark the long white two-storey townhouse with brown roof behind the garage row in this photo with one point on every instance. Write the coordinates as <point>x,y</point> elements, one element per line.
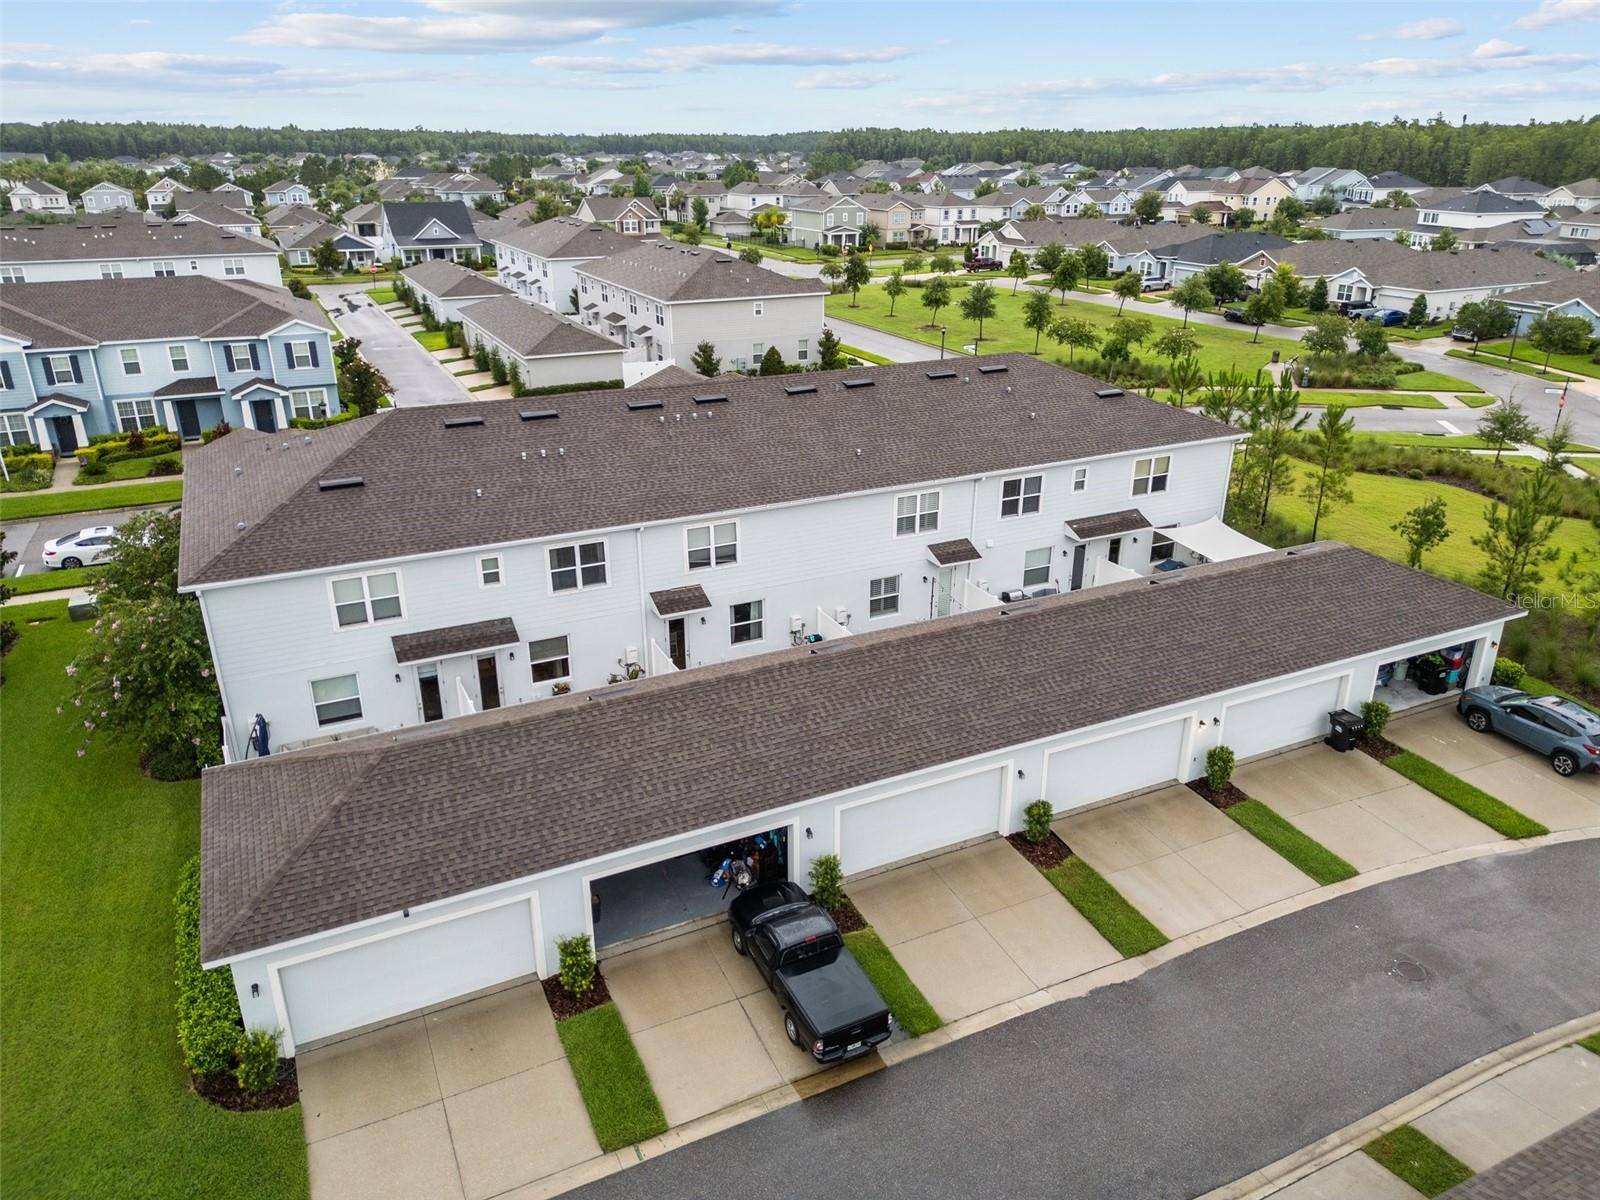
<point>446,561</point>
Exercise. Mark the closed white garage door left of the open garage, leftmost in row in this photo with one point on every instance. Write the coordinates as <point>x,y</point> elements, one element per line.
<point>385,978</point>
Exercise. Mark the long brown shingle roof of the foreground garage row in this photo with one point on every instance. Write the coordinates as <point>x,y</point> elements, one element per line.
<point>386,817</point>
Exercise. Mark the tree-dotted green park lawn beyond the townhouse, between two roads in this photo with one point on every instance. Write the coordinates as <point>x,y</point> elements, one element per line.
<point>1218,350</point>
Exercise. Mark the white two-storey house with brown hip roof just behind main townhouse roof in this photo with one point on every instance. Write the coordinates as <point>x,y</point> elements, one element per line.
<point>662,300</point>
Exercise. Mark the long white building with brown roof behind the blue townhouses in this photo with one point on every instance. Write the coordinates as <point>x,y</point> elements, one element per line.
<point>124,246</point>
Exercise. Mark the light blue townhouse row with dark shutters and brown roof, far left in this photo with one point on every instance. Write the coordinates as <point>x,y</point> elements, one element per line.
<point>90,358</point>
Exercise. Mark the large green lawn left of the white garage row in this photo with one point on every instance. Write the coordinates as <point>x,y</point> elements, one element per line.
<point>94,1094</point>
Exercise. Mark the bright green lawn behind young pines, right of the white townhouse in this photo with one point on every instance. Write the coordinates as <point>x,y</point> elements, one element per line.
<point>1382,500</point>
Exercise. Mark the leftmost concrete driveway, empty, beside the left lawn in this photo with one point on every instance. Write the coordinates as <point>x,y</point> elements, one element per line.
<point>465,1102</point>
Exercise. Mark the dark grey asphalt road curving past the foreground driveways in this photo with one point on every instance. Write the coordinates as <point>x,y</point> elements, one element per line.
<point>1201,1071</point>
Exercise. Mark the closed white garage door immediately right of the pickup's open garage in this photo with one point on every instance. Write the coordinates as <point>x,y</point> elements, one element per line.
<point>921,822</point>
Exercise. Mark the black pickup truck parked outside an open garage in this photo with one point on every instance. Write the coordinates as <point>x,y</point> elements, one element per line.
<point>830,1004</point>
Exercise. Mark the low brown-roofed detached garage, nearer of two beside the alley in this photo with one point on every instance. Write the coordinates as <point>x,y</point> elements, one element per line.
<point>548,351</point>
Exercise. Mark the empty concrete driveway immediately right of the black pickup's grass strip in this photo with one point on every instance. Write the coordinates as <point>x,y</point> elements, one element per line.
<point>978,927</point>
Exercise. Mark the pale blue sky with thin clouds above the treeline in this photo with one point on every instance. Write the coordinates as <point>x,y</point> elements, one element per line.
<point>774,66</point>
